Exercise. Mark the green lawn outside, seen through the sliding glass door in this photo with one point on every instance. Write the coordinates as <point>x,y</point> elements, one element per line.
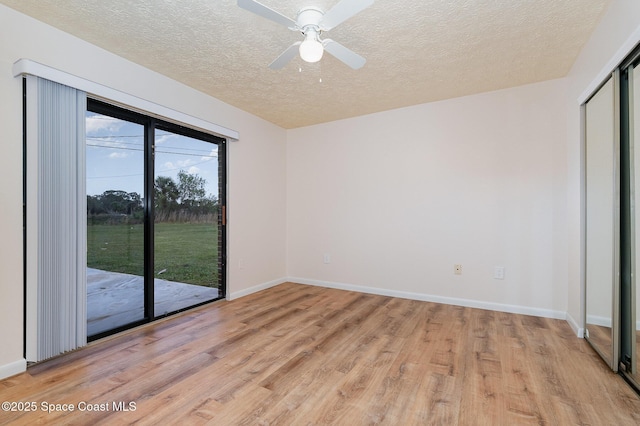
<point>186,252</point>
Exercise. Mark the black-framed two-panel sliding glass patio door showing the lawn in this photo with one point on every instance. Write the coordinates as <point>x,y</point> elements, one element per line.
<point>155,231</point>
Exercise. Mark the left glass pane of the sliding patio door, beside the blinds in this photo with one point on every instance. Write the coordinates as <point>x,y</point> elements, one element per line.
<point>115,228</point>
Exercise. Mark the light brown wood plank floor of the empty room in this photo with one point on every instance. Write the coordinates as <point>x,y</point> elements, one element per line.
<point>298,355</point>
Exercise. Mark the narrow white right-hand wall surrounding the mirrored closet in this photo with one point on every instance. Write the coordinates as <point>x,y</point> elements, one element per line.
<point>617,28</point>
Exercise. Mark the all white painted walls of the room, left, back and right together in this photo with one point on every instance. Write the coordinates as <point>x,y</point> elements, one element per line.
<point>395,198</point>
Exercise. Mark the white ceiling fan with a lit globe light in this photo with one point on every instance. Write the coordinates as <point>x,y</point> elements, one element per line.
<point>312,22</point>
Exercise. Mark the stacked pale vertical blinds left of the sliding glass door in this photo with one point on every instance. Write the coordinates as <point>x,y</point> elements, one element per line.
<point>56,219</point>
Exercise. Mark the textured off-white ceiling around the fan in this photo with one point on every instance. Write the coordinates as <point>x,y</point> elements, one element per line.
<point>416,51</point>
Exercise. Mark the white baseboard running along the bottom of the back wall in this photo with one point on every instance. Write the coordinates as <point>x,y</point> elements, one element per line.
<point>514,309</point>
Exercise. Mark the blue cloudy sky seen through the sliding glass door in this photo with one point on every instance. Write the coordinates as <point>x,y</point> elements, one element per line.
<point>115,156</point>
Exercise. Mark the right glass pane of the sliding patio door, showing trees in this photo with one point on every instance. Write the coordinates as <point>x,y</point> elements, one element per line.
<point>187,247</point>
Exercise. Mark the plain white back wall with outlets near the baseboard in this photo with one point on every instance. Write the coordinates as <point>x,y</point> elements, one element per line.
<point>397,198</point>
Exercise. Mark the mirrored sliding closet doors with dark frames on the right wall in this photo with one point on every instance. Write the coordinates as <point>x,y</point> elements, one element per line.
<point>611,118</point>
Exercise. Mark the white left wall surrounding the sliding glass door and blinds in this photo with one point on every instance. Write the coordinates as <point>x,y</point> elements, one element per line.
<point>256,172</point>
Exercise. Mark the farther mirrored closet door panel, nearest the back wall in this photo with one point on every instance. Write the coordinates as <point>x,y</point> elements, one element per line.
<point>602,223</point>
